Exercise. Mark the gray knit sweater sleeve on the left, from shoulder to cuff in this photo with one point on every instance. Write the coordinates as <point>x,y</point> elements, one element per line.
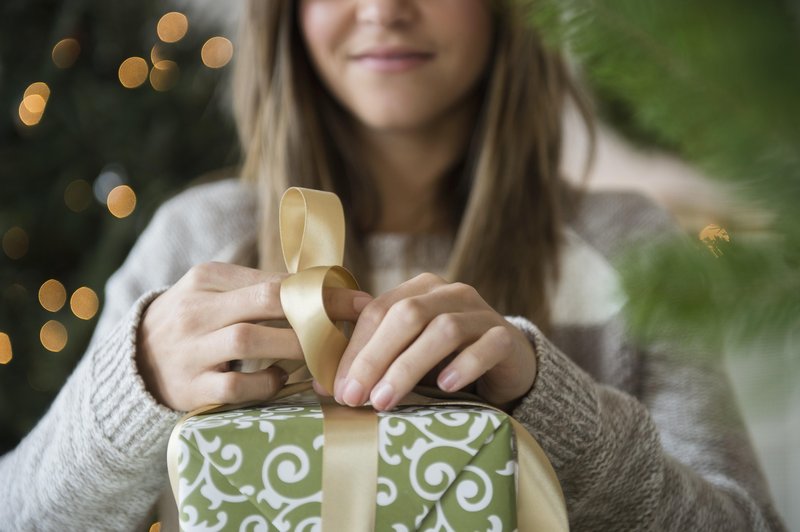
<point>97,459</point>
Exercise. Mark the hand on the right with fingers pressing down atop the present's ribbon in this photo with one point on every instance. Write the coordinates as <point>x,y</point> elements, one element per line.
<point>407,332</point>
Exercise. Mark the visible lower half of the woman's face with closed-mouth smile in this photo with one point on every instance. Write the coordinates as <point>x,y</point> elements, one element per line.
<point>399,66</point>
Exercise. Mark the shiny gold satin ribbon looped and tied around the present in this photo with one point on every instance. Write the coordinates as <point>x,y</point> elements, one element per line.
<point>312,239</point>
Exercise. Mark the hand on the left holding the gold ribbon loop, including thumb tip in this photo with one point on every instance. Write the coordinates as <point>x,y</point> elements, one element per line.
<point>189,335</point>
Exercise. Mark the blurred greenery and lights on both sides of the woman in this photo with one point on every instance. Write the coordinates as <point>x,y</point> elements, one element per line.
<point>110,108</point>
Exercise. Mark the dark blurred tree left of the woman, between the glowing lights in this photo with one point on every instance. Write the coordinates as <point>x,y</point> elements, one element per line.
<point>156,142</point>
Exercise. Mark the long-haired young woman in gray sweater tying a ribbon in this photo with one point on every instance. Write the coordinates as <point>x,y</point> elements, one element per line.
<point>438,124</point>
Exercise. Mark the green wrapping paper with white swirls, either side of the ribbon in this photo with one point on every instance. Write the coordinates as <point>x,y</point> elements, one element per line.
<point>259,469</point>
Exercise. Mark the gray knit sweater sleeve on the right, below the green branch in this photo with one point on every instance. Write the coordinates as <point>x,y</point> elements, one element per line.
<point>679,459</point>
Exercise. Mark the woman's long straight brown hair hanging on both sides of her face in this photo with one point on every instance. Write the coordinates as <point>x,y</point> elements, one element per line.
<point>510,202</point>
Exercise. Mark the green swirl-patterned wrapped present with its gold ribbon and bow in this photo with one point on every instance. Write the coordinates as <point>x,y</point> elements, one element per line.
<point>298,464</point>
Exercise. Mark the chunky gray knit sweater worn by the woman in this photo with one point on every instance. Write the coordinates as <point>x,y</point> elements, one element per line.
<point>641,439</point>
